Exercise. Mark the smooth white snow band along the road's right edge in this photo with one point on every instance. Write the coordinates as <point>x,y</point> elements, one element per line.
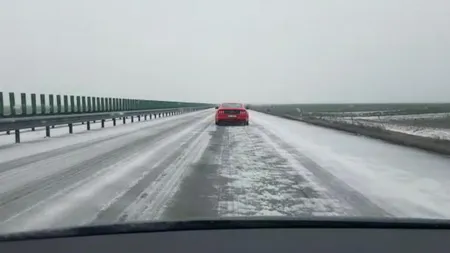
<point>405,182</point>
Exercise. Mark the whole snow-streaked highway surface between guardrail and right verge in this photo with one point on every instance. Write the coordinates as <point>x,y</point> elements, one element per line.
<point>185,167</point>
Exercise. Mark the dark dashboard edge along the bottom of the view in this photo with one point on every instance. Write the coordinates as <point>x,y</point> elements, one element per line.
<point>240,236</point>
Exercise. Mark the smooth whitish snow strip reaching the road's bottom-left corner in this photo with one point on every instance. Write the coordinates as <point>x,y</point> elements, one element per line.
<point>94,194</point>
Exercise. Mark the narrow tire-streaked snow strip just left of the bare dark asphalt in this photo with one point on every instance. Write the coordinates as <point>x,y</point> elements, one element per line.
<point>154,190</point>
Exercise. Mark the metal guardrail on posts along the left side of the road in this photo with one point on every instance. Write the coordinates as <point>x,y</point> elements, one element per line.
<point>17,123</point>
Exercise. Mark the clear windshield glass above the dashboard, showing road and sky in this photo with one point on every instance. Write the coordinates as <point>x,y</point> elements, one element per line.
<point>109,110</point>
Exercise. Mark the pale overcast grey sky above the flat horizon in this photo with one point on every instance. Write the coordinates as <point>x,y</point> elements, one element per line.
<point>235,50</point>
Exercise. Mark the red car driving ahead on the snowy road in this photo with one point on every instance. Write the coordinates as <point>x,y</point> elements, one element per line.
<point>231,113</point>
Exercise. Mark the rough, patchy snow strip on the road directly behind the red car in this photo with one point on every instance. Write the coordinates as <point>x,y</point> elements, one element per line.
<point>261,182</point>
